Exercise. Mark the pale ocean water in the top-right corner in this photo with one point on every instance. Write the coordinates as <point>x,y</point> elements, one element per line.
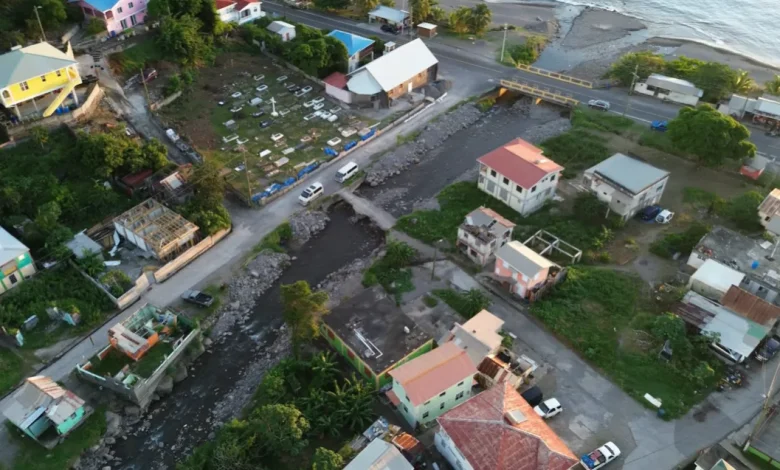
<point>747,27</point>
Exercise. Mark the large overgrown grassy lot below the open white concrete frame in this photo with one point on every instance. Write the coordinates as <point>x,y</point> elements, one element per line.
<point>597,312</point>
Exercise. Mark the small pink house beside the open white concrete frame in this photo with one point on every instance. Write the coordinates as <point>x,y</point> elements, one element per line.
<point>522,269</point>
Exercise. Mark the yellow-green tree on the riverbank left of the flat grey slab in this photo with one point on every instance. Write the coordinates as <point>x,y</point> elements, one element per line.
<point>302,310</point>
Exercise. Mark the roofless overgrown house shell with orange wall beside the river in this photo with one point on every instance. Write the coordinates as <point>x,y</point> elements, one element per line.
<point>140,351</point>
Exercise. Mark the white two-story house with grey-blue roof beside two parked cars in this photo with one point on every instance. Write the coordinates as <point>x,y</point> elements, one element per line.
<point>626,184</point>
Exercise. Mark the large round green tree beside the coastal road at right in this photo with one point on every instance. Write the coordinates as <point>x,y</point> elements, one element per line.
<point>710,136</point>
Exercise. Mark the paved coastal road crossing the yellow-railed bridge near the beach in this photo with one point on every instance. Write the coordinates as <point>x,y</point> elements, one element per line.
<point>640,108</point>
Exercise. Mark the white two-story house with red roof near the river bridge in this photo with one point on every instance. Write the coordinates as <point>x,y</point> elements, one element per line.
<point>519,175</point>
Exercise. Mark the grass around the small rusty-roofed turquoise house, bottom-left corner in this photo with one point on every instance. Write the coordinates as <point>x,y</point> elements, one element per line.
<point>32,456</point>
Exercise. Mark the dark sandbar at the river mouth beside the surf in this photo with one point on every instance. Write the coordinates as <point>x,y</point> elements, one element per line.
<point>595,26</point>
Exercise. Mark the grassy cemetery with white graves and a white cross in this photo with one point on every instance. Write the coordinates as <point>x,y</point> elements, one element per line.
<point>265,124</point>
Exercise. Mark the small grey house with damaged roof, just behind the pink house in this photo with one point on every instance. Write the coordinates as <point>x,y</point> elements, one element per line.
<point>482,233</point>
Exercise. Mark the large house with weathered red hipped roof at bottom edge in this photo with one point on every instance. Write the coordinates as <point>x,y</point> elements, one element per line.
<point>498,430</point>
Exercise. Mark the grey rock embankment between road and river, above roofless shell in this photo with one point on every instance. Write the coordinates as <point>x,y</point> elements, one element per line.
<point>258,276</point>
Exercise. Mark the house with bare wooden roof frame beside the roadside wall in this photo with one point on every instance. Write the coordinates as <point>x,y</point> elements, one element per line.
<point>156,229</point>
